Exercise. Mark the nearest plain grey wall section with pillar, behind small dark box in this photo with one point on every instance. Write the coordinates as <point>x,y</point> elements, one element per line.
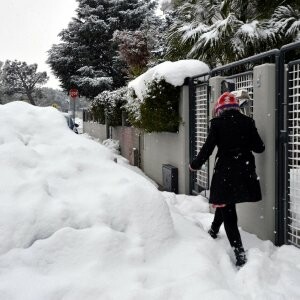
<point>169,148</point>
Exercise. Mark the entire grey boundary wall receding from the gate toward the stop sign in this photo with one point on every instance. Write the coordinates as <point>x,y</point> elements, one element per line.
<point>155,149</point>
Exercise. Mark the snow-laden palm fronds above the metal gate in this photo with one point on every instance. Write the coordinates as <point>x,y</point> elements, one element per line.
<point>219,32</point>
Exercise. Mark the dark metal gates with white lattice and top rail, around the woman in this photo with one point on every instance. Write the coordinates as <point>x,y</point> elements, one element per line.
<point>287,130</point>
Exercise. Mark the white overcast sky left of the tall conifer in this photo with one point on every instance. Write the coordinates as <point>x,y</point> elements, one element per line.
<point>28,28</point>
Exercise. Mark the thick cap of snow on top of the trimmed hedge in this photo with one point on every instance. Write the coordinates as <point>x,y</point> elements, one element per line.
<point>173,72</point>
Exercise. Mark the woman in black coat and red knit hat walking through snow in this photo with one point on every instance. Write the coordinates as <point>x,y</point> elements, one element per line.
<point>234,179</point>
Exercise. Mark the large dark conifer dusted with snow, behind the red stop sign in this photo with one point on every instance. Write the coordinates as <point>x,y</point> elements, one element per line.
<point>87,57</point>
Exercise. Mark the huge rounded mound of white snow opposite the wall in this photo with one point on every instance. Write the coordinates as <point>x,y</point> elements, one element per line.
<point>65,202</point>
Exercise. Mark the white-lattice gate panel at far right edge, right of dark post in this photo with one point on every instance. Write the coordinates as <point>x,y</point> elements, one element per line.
<point>293,159</point>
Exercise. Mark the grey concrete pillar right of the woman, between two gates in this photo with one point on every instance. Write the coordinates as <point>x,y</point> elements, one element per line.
<point>259,218</point>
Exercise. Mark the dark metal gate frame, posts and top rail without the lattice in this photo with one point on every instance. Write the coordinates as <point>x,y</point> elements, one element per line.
<point>277,57</point>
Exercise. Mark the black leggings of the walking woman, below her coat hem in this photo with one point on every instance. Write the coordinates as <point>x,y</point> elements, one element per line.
<point>228,215</point>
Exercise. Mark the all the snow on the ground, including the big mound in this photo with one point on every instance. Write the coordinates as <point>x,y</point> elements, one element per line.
<point>75,224</point>
